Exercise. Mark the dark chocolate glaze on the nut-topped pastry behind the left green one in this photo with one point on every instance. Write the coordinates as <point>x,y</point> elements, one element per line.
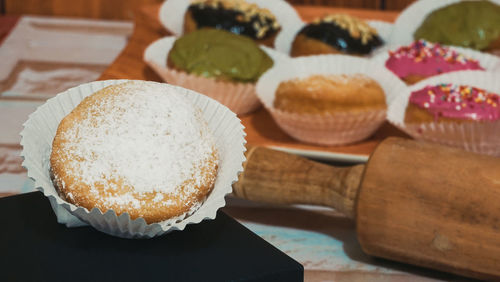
<point>226,19</point>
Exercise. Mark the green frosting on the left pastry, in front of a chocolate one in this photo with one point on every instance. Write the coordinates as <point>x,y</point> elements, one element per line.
<point>220,54</point>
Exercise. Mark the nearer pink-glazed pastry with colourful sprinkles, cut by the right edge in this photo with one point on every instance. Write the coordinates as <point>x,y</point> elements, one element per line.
<point>452,103</point>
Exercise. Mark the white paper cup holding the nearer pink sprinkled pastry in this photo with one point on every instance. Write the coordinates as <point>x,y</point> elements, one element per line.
<point>478,137</point>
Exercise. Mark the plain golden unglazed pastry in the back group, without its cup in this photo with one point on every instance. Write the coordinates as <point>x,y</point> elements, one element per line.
<point>329,94</point>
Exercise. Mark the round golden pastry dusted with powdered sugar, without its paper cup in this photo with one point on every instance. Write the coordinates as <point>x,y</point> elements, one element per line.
<point>138,148</point>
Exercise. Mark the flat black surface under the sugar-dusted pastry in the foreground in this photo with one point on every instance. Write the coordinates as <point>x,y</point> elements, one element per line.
<point>34,247</point>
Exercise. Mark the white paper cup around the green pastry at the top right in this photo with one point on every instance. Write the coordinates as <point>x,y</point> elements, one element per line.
<point>413,17</point>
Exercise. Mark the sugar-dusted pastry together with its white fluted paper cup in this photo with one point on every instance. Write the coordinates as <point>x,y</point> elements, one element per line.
<point>132,158</point>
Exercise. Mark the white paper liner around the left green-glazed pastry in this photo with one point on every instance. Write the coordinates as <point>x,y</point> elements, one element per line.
<point>238,97</point>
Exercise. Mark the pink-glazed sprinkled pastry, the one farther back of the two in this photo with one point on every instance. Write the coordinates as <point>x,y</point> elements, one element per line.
<point>423,59</point>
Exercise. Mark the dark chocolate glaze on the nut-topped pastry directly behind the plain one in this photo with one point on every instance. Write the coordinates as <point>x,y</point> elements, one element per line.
<point>339,38</point>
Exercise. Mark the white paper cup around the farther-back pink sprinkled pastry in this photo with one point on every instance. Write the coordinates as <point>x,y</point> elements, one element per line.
<point>489,62</point>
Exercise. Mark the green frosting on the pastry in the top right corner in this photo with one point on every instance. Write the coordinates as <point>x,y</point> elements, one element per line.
<point>471,24</point>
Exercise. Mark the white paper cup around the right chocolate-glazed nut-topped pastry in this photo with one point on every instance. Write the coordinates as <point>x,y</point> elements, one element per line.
<point>285,39</point>
